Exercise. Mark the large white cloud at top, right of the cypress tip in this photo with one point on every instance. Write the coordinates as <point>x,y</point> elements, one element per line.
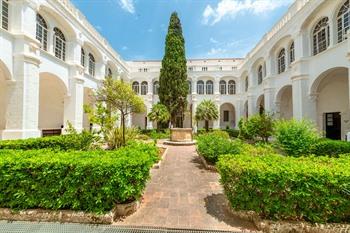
<point>230,8</point>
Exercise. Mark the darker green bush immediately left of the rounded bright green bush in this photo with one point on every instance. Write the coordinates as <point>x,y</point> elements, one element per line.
<point>257,127</point>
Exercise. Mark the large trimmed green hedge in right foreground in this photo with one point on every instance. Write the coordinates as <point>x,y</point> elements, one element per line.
<point>277,187</point>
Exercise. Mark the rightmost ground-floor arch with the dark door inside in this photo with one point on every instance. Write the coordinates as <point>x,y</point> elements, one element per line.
<point>331,93</point>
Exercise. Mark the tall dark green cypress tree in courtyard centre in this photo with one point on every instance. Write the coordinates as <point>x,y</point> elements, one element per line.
<point>173,86</point>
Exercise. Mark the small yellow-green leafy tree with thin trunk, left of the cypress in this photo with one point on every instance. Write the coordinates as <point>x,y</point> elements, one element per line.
<point>114,98</point>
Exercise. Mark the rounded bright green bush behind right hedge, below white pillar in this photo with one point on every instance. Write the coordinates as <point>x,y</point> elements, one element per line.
<point>296,138</point>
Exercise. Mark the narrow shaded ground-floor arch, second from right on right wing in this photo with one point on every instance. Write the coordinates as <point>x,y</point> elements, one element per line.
<point>284,102</point>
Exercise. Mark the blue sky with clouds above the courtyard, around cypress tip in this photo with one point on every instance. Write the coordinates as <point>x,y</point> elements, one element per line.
<point>212,28</point>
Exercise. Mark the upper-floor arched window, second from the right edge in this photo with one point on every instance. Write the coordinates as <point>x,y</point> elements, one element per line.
<point>321,36</point>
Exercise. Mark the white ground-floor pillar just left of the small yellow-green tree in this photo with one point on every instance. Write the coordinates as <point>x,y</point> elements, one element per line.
<point>73,104</point>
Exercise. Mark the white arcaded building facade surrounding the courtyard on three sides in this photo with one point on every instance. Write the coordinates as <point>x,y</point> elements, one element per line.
<point>51,59</point>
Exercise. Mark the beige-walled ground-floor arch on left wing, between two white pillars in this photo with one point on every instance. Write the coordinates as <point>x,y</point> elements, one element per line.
<point>52,94</point>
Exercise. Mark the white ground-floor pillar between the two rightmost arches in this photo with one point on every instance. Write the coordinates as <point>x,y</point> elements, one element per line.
<point>304,105</point>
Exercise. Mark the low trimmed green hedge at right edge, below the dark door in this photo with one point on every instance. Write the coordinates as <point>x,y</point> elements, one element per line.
<point>332,148</point>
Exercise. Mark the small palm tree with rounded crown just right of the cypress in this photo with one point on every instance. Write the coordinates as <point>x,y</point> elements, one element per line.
<point>207,111</point>
